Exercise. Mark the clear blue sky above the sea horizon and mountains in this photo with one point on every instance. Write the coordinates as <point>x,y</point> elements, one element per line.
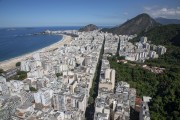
<point>28,13</point>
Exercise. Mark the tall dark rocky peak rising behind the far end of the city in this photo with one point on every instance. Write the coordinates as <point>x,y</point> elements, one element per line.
<point>136,25</point>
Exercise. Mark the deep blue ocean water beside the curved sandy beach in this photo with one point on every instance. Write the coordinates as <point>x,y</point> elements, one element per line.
<point>18,41</point>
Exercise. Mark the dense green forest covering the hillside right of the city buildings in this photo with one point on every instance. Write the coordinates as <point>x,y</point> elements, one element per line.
<point>163,88</point>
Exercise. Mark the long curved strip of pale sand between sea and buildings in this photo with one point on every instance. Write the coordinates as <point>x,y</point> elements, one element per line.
<point>11,63</point>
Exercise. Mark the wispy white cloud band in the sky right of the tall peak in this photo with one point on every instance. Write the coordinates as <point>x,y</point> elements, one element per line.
<point>155,11</point>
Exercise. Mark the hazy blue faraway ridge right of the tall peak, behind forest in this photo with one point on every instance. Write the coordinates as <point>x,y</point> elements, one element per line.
<point>166,21</point>
